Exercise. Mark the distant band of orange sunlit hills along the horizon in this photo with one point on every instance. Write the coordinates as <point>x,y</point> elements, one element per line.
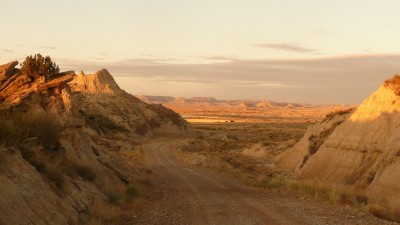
<point>256,109</point>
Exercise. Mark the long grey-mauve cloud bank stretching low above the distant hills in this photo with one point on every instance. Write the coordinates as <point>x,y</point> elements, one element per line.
<point>344,79</point>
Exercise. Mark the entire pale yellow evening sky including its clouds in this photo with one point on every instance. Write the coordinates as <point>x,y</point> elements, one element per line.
<point>307,51</point>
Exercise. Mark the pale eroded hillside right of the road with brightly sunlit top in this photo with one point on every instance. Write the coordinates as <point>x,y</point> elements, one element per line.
<point>358,147</point>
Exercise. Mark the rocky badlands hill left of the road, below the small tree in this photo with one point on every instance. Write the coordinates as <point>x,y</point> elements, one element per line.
<point>61,144</point>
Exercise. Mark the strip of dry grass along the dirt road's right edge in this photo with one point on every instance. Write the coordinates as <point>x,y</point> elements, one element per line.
<point>258,177</point>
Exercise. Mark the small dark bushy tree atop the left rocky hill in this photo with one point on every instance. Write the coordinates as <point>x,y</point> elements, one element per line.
<point>37,66</point>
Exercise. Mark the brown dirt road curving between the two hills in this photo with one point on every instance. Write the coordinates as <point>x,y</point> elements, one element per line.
<point>198,196</point>
